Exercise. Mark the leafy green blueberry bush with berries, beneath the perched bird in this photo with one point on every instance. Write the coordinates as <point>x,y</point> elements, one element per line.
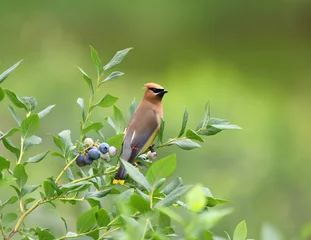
<point>148,206</point>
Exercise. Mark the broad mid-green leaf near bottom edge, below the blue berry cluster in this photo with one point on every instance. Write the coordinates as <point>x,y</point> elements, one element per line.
<point>87,220</point>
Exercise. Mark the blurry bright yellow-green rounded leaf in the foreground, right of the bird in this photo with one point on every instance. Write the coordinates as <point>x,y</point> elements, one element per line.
<point>195,199</point>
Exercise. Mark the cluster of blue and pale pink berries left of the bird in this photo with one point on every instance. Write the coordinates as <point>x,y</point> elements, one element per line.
<point>94,151</point>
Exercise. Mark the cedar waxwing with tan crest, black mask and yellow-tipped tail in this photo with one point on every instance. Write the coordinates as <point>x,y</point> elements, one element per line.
<point>142,128</point>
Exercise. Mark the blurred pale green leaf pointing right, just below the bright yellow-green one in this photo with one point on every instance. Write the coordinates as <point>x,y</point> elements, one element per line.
<point>212,217</point>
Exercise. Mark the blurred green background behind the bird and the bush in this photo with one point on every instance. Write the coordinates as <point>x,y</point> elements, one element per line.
<point>251,59</point>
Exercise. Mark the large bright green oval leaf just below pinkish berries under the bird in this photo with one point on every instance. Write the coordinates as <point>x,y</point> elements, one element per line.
<point>161,169</point>
